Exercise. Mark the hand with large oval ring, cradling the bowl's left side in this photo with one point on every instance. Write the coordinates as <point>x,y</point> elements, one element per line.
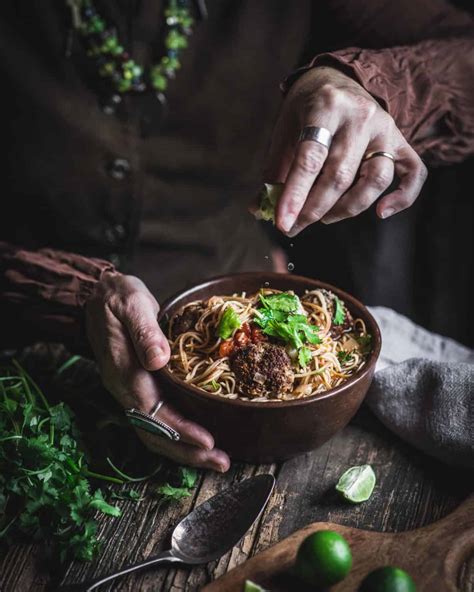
<point>122,327</point>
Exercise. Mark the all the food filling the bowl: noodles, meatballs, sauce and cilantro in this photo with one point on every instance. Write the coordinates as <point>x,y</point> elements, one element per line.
<point>268,346</point>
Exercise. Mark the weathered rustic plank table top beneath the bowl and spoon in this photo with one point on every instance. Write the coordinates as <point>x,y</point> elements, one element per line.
<point>412,490</point>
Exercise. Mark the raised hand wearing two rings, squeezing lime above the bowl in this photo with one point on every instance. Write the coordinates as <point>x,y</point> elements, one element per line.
<point>330,185</point>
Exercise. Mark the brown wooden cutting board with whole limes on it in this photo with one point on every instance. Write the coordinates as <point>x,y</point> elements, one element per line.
<point>432,555</point>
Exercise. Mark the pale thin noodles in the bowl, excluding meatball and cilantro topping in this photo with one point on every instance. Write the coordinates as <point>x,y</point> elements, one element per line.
<point>195,356</point>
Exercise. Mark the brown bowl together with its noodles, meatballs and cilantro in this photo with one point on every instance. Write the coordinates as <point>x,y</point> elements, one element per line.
<point>275,418</point>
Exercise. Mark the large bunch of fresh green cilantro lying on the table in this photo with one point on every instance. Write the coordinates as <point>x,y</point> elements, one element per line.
<point>44,487</point>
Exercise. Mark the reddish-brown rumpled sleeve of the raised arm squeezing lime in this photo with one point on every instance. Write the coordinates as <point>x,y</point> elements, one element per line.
<point>428,88</point>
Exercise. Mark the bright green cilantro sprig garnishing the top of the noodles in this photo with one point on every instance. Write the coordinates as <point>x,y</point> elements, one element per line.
<point>280,317</point>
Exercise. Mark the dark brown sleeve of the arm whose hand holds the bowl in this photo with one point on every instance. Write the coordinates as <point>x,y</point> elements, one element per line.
<point>42,294</point>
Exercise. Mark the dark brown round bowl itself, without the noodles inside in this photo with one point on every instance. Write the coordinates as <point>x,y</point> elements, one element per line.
<point>273,431</point>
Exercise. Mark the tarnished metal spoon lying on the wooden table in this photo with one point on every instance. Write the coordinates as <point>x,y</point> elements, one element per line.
<point>208,532</point>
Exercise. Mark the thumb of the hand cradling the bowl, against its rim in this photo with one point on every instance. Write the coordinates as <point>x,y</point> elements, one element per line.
<point>151,345</point>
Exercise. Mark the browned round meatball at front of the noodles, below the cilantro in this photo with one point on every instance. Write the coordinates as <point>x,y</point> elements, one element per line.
<point>262,369</point>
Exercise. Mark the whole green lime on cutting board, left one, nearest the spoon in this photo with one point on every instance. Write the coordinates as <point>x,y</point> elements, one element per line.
<point>324,558</point>
